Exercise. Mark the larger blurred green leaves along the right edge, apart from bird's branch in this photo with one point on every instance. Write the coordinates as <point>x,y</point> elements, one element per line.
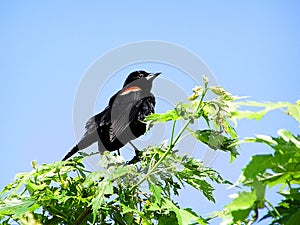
<point>281,168</point>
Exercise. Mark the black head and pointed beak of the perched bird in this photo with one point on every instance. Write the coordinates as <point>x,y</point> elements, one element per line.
<point>140,79</point>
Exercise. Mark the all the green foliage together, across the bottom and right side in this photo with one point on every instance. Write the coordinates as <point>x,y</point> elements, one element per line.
<point>142,193</point>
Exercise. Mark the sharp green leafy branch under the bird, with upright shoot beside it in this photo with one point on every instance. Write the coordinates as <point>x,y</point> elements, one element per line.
<point>66,193</point>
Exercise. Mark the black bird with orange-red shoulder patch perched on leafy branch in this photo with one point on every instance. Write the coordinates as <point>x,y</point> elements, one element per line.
<point>121,121</point>
